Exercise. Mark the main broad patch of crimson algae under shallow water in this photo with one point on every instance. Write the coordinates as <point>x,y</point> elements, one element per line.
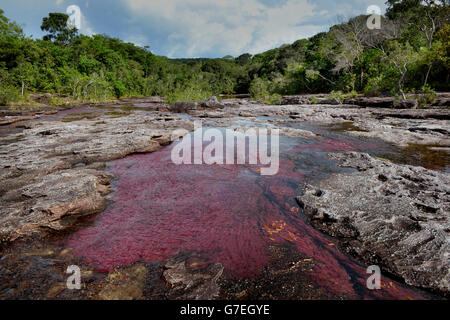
<point>161,209</point>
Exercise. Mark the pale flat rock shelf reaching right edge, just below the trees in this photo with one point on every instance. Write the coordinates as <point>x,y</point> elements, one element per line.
<point>403,127</point>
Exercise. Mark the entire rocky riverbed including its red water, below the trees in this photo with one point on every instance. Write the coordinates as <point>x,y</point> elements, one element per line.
<point>63,176</point>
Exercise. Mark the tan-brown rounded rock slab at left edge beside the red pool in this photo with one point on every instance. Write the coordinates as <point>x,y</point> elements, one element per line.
<point>53,202</point>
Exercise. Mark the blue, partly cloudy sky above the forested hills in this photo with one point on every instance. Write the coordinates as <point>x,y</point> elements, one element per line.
<point>195,28</point>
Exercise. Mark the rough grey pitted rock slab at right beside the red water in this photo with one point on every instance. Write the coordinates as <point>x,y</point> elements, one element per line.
<point>386,214</point>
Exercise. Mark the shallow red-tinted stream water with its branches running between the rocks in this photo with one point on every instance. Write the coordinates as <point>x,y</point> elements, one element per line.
<point>228,214</point>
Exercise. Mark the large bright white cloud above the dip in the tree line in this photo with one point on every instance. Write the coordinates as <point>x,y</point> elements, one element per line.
<point>198,27</point>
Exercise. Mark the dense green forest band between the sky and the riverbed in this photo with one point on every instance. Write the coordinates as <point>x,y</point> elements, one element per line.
<point>410,53</point>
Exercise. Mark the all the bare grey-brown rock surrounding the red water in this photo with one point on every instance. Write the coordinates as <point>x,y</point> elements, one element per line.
<point>53,168</point>
